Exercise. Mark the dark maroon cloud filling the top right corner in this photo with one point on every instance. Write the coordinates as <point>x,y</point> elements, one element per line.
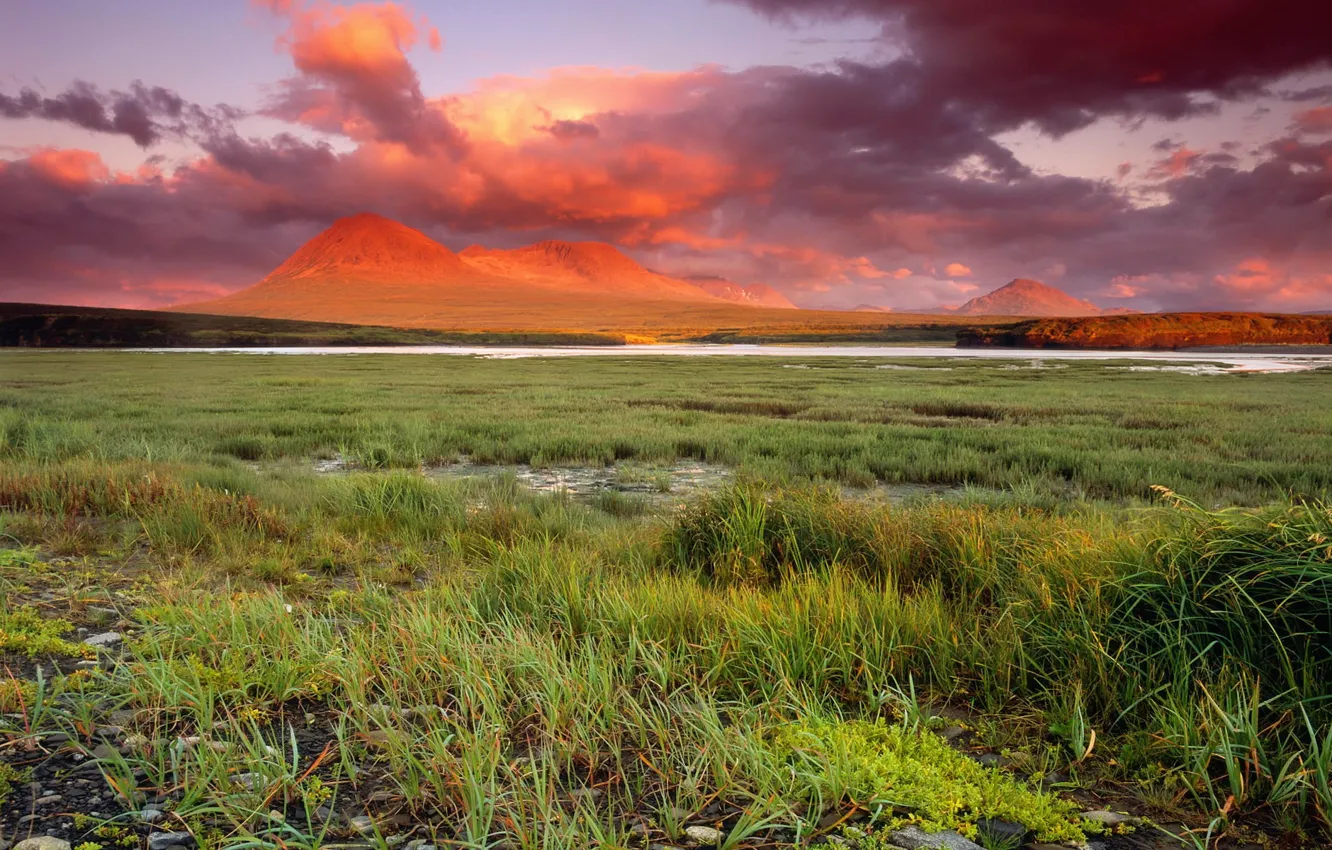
<point>1062,65</point>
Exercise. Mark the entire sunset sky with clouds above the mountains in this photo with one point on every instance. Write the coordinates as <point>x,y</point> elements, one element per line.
<point>900,154</point>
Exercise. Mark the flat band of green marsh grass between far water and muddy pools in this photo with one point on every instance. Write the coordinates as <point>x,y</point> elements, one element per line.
<point>1084,431</point>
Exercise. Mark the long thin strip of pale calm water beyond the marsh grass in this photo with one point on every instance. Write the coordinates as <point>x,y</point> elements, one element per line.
<point>1205,363</point>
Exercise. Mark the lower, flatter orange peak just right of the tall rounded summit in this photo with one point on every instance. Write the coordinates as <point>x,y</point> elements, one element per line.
<point>581,267</point>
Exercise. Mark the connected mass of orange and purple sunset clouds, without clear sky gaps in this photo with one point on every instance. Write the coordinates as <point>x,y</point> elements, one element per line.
<point>838,179</point>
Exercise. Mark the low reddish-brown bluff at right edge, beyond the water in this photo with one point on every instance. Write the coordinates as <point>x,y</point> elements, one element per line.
<point>1156,331</point>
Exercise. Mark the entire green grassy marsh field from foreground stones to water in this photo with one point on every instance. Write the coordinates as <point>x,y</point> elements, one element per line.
<point>1122,598</point>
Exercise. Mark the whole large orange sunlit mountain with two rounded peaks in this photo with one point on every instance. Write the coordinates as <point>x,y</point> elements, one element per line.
<point>370,270</point>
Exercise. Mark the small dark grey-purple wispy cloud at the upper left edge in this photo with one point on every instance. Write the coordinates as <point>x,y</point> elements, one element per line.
<point>145,114</point>
